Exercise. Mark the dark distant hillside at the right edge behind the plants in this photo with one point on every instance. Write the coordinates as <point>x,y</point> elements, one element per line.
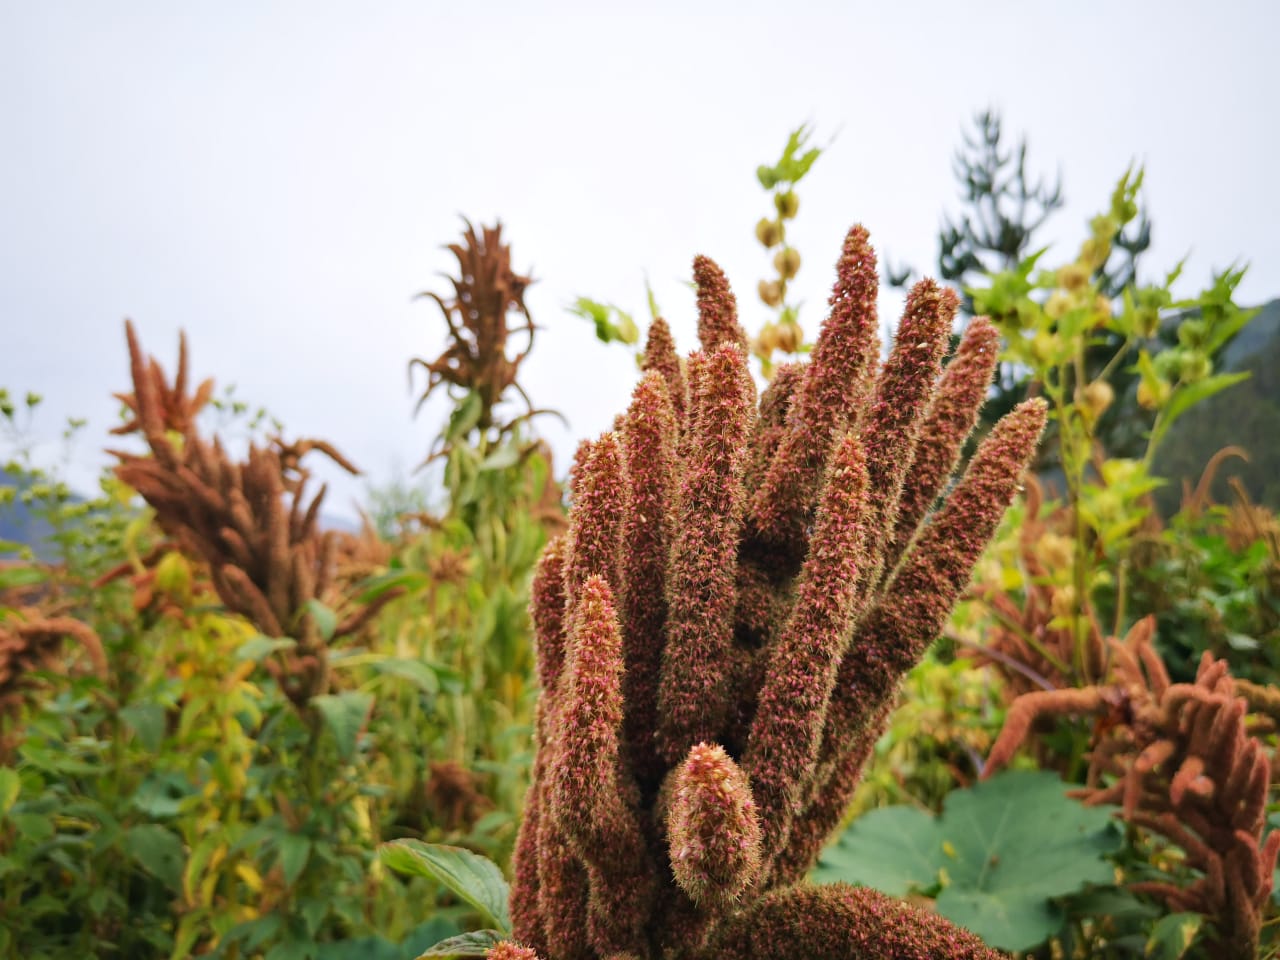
<point>1246,415</point>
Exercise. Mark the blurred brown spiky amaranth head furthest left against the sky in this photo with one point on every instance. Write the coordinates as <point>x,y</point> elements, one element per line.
<point>250,522</point>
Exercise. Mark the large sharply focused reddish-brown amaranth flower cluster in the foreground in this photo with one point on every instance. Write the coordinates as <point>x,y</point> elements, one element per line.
<point>723,630</point>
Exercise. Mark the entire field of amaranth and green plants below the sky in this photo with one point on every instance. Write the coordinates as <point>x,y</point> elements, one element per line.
<point>230,732</point>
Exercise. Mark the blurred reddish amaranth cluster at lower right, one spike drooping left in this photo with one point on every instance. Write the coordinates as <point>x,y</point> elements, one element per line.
<point>1181,762</point>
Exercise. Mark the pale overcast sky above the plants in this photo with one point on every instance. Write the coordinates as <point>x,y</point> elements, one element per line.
<point>278,179</point>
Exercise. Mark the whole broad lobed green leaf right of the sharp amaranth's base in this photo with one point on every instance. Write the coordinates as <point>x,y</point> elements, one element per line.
<point>1003,853</point>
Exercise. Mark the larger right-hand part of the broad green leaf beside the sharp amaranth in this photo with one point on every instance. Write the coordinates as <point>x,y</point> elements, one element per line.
<point>1016,843</point>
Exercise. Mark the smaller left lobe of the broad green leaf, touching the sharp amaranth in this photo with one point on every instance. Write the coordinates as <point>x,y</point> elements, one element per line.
<point>895,851</point>
